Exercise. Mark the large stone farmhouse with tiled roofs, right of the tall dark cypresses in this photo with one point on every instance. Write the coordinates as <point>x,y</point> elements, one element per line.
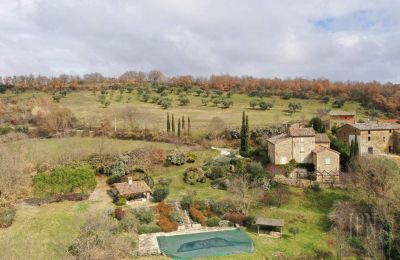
<point>304,146</point>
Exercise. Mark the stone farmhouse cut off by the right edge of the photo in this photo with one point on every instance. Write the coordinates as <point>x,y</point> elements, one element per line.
<point>373,137</point>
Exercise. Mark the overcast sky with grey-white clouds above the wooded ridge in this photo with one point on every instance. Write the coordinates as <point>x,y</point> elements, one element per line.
<point>334,39</point>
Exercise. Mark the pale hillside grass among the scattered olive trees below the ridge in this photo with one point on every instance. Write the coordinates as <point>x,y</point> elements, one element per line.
<point>87,109</point>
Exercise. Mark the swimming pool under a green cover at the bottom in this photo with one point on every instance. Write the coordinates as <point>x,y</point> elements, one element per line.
<point>215,243</point>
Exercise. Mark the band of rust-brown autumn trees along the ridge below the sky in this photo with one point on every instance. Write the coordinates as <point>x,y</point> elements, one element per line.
<point>384,96</point>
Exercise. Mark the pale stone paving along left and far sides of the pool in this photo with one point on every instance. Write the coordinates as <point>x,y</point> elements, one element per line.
<point>148,244</point>
